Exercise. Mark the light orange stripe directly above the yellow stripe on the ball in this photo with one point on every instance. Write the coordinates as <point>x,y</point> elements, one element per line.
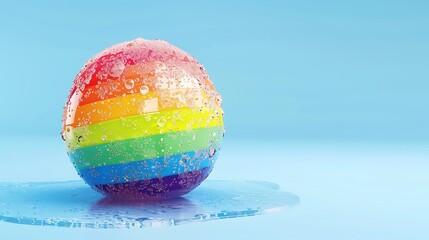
<point>136,104</point>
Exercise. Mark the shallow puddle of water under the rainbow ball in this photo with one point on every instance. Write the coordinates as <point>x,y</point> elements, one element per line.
<point>74,204</point>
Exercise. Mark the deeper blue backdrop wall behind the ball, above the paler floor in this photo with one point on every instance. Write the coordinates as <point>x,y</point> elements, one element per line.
<point>325,70</point>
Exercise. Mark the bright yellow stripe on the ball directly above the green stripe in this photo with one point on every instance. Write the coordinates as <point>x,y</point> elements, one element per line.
<point>143,125</point>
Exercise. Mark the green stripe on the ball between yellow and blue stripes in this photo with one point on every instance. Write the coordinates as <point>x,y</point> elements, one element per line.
<point>147,147</point>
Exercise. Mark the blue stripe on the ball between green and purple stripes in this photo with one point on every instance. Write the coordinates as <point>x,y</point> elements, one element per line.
<point>149,168</point>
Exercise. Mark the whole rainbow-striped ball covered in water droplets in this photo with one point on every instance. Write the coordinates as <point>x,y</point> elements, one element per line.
<point>143,121</point>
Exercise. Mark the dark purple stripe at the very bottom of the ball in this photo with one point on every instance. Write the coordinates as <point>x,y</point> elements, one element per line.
<point>156,188</point>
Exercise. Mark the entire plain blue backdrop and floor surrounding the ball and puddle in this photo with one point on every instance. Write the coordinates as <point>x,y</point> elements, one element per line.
<point>329,99</point>
